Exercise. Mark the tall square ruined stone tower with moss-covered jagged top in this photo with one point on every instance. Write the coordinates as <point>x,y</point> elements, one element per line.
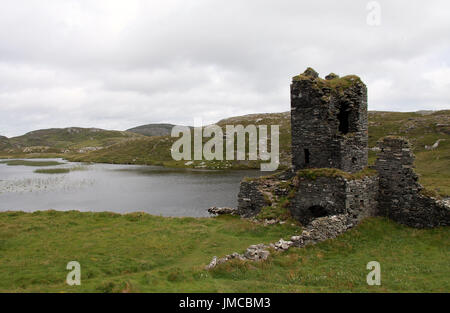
<point>329,122</point>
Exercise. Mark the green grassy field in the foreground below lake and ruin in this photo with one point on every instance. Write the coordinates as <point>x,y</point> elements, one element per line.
<point>139,252</point>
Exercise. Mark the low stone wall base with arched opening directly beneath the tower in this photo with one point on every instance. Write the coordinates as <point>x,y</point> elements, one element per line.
<point>325,196</point>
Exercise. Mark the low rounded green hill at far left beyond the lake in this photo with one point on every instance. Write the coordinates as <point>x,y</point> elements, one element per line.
<point>58,140</point>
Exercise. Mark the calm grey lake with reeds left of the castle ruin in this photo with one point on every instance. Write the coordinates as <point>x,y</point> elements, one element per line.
<point>119,188</point>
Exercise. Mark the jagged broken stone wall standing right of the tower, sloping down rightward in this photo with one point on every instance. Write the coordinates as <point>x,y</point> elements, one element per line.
<point>400,196</point>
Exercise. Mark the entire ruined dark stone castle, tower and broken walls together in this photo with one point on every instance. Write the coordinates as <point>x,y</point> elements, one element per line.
<point>330,174</point>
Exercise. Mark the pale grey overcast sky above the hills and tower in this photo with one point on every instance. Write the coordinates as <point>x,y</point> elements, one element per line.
<point>119,64</point>
